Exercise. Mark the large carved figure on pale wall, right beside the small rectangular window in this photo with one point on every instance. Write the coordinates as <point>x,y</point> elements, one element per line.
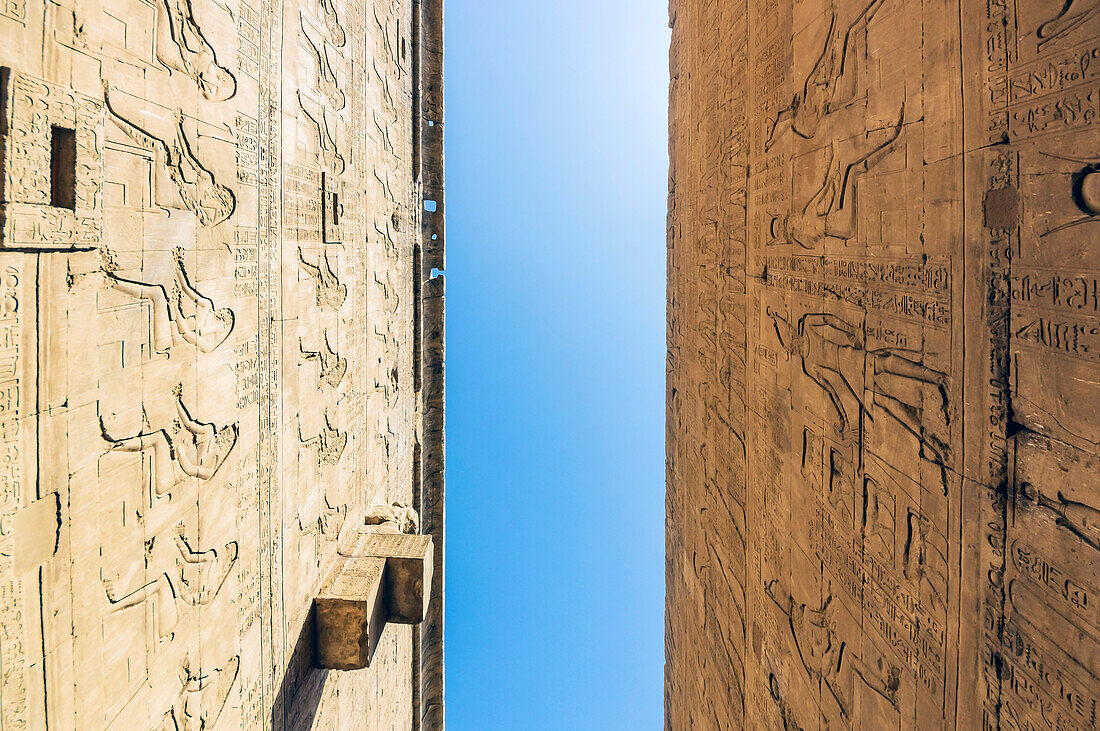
<point>211,202</point>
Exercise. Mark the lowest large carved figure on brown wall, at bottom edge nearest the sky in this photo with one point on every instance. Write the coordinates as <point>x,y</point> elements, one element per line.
<point>826,657</point>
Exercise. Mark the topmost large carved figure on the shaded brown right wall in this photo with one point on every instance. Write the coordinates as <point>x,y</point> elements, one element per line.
<point>833,81</point>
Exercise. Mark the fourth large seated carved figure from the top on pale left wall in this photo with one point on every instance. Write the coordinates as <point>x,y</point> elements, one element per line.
<point>199,448</point>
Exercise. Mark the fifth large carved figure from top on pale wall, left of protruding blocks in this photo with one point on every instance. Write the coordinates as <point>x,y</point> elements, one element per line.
<point>195,581</point>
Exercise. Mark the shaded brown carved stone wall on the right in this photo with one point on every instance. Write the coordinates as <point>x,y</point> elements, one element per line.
<point>884,474</point>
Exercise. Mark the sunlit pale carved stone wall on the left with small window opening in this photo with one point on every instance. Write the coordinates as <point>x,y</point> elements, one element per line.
<point>213,245</point>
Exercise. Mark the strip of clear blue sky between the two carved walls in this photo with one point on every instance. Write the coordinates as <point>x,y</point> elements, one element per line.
<point>556,201</point>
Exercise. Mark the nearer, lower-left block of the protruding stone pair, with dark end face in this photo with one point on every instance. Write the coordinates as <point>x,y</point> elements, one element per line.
<point>351,614</point>
